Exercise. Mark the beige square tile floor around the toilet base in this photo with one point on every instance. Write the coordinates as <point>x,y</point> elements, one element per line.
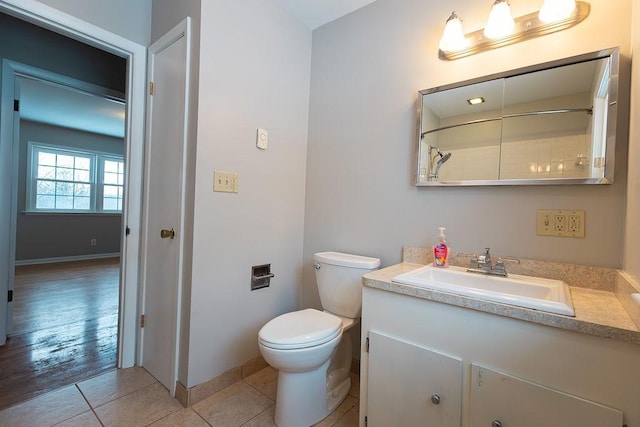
<point>132,397</point>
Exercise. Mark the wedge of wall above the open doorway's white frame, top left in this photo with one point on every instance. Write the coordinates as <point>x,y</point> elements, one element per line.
<point>127,18</point>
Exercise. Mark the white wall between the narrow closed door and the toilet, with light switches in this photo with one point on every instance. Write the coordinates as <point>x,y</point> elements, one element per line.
<point>254,73</point>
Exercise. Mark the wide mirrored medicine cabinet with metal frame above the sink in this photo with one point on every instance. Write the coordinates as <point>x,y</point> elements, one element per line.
<point>553,123</point>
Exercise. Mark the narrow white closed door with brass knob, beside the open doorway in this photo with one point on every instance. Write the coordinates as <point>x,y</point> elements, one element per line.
<point>164,199</point>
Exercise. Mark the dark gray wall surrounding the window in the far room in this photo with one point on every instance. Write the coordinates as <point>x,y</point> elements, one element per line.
<point>63,235</point>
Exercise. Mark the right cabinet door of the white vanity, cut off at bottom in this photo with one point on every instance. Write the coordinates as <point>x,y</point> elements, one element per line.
<point>499,399</point>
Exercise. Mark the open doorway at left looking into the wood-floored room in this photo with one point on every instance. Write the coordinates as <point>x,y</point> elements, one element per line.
<point>81,306</point>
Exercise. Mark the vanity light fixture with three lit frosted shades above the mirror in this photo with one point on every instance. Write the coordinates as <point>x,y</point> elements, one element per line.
<point>503,30</point>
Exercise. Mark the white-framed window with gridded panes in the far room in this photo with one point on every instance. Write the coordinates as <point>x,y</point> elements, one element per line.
<point>69,180</point>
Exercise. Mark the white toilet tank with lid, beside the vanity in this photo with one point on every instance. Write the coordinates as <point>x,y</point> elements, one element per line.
<point>339,280</point>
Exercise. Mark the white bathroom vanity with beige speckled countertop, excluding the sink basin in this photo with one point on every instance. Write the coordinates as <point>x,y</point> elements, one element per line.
<point>438,359</point>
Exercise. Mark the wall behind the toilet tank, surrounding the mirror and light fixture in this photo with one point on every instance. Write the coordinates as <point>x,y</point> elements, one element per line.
<point>366,70</point>
